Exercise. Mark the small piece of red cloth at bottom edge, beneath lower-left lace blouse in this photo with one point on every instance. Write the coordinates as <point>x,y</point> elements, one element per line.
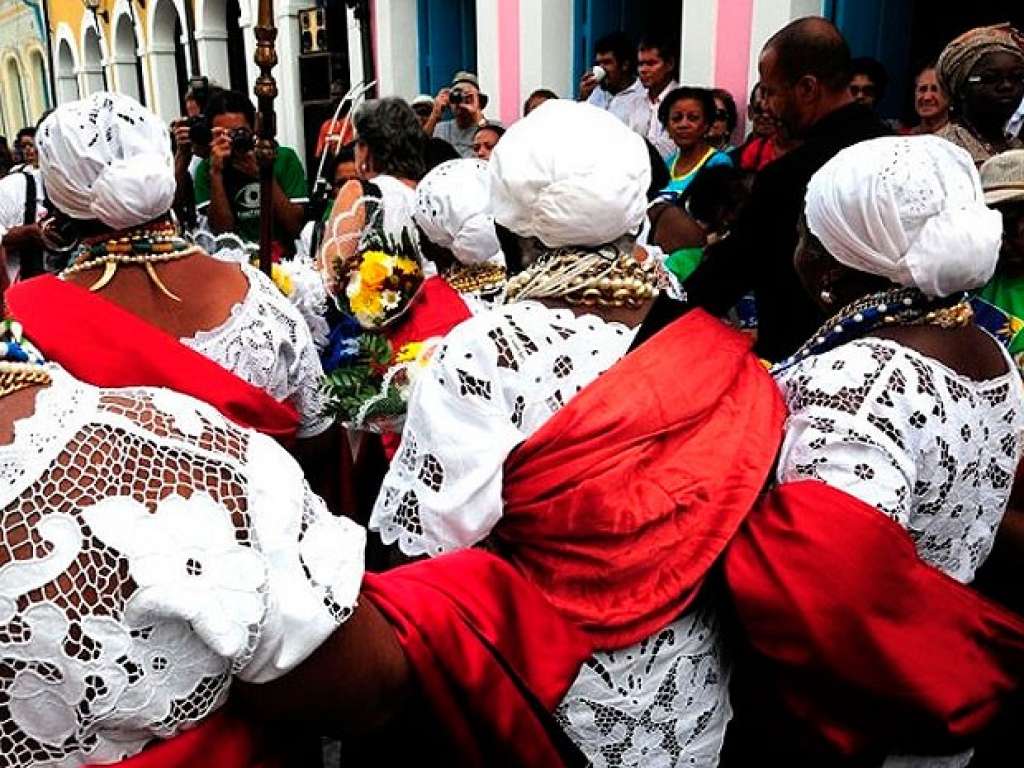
<point>220,742</point>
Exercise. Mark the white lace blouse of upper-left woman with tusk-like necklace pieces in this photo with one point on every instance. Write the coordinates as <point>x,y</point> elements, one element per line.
<point>266,343</point>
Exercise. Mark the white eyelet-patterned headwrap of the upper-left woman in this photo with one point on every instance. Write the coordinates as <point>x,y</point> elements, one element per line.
<point>107,158</point>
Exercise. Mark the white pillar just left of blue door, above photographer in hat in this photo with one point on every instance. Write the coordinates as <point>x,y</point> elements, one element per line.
<point>398,48</point>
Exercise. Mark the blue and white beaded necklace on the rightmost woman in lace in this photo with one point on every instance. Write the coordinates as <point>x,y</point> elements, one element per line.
<point>898,307</point>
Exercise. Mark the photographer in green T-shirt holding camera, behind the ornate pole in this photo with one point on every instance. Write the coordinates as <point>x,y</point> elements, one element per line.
<point>228,184</point>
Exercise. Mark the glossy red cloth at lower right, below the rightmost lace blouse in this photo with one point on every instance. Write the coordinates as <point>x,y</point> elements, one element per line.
<point>874,648</point>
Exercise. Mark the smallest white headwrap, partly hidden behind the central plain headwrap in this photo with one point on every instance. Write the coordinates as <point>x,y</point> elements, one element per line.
<point>453,209</point>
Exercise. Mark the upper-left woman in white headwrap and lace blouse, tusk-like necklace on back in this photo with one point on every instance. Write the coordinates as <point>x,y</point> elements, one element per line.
<point>108,169</point>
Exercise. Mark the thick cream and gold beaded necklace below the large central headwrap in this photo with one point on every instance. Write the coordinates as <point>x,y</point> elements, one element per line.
<point>608,277</point>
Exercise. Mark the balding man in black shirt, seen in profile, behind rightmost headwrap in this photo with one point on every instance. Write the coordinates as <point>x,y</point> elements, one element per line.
<point>805,74</point>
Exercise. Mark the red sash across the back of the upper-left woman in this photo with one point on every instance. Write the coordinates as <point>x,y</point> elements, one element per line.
<point>107,347</point>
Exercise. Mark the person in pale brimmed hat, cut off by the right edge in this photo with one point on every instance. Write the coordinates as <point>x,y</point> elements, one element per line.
<point>1000,306</point>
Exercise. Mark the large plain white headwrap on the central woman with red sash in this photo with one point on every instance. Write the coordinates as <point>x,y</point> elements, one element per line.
<point>570,175</point>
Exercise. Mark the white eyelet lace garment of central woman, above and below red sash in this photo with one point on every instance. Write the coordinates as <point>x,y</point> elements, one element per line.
<point>496,380</point>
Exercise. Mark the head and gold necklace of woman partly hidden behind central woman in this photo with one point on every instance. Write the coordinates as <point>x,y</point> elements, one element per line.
<point>453,212</point>
